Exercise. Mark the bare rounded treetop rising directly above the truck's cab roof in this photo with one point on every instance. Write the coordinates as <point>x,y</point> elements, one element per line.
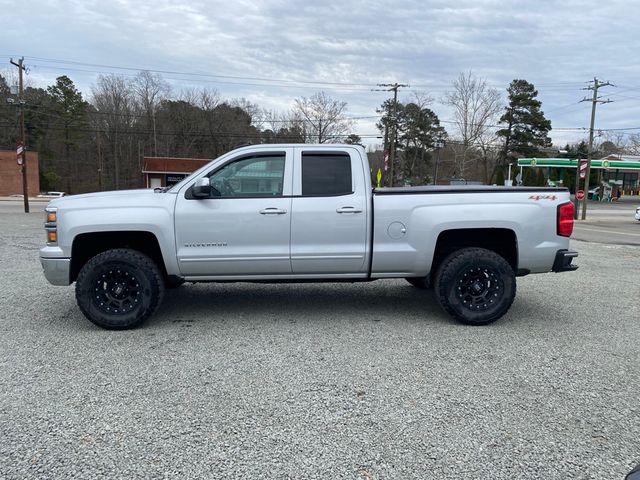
<point>324,118</point>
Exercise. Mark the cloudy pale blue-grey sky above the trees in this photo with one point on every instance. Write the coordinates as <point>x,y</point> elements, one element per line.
<point>272,52</point>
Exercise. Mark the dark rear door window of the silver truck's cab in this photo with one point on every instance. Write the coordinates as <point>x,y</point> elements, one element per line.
<point>326,174</point>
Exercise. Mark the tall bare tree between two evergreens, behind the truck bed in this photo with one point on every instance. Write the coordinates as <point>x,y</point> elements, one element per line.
<point>475,107</point>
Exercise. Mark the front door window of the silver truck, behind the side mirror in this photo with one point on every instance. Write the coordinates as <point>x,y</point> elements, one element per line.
<point>251,177</point>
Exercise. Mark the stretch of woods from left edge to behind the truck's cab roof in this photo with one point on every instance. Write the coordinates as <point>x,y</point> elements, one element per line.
<point>98,144</point>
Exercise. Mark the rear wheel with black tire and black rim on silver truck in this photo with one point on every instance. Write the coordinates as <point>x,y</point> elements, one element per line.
<point>475,286</point>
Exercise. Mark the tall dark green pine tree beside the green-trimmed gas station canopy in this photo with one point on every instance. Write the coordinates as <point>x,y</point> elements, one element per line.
<point>526,126</point>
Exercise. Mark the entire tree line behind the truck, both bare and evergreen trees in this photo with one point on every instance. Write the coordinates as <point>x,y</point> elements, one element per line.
<point>97,143</point>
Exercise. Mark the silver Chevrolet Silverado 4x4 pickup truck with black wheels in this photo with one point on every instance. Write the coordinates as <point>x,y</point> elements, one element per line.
<point>272,213</point>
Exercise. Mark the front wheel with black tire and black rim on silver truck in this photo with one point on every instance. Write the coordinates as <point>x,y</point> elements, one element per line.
<point>119,289</point>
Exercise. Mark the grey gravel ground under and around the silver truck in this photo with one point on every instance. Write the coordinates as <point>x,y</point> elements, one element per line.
<point>362,381</point>
